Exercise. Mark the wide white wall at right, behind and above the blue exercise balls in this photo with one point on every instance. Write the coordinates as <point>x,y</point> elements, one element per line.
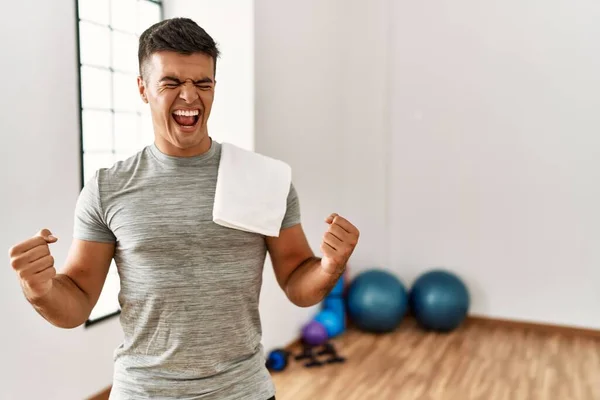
<point>496,160</point>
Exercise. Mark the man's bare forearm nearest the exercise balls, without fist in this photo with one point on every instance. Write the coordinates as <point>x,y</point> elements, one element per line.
<point>309,284</point>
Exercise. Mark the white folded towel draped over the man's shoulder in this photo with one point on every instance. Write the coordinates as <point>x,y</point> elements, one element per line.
<point>252,190</point>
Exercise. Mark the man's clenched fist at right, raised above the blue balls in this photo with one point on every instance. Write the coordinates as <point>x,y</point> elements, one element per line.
<point>338,243</point>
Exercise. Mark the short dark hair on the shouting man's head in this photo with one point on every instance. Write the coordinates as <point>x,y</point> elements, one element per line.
<point>181,35</point>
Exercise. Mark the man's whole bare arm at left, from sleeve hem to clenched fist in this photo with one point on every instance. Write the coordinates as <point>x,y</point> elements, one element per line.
<point>66,299</point>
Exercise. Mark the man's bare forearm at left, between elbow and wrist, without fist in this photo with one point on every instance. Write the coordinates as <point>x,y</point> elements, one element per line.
<point>65,305</point>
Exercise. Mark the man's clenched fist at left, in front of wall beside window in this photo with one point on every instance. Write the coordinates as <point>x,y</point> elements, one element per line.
<point>34,264</point>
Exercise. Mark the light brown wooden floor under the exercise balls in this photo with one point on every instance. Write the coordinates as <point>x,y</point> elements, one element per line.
<point>478,361</point>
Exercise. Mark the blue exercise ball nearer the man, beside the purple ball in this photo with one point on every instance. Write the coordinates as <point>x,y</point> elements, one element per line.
<point>377,301</point>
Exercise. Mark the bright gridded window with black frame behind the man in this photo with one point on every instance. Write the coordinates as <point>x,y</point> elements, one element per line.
<point>115,123</point>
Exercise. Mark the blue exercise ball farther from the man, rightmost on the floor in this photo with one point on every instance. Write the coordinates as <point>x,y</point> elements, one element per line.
<point>439,300</point>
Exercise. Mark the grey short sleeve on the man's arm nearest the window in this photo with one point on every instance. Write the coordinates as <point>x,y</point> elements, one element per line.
<point>89,221</point>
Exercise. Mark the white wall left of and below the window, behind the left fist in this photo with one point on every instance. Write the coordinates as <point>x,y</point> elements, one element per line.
<point>40,183</point>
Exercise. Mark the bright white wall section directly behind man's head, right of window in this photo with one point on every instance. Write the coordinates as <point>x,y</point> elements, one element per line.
<point>231,24</point>
